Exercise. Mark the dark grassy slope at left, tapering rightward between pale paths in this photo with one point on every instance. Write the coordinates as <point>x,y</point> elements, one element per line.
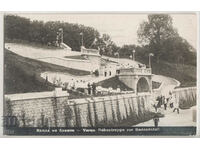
<point>23,74</point>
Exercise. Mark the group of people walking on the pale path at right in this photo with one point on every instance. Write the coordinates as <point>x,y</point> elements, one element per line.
<point>171,102</point>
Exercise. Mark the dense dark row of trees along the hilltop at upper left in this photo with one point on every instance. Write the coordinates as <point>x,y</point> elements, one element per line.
<point>21,28</point>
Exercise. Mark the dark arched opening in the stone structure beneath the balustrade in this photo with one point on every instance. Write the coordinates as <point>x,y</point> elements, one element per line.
<point>143,85</point>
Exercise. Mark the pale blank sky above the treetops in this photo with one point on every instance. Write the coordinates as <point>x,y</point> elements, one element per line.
<point>122,28</point>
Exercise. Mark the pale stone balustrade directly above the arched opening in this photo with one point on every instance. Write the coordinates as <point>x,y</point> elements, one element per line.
<point>135,71</point>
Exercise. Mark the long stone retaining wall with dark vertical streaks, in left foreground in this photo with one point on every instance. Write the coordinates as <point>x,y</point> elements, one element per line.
<point>116,110</point>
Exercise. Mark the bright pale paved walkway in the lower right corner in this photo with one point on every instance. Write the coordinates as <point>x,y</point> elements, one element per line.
<point>184,118</point>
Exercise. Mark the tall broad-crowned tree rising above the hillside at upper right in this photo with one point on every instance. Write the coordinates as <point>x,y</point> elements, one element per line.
<point>155,31</point>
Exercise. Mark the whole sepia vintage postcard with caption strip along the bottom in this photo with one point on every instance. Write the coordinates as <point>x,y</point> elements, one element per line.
<point>98,74</point>
